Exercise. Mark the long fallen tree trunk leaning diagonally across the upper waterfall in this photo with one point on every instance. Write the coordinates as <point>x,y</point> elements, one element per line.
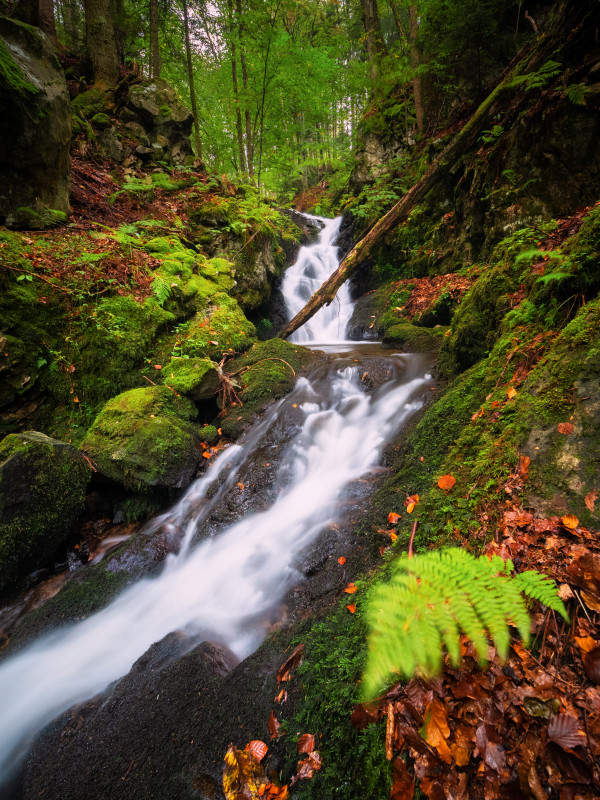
<point>531,60</point>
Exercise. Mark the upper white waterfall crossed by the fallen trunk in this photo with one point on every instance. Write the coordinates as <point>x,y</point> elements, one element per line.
<point>313,266</point>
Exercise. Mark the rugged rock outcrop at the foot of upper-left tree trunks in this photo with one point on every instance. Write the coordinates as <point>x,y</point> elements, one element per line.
<point>156,116</point>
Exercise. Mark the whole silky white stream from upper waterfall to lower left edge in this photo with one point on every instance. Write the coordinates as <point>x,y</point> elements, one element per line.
<point>225,587</point>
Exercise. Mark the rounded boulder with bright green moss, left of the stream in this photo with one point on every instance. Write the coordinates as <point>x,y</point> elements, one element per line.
<point>145,438</point>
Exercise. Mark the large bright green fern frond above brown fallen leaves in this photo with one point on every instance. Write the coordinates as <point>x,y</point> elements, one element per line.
<point>433,598</point>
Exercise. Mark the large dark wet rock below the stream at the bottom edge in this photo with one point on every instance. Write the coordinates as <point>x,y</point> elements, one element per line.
<point>163,730</point>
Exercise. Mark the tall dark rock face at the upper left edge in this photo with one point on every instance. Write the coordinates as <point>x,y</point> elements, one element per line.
<point>35,129</point>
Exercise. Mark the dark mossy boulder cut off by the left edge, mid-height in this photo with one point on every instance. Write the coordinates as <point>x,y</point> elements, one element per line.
<point>42,491</point>
